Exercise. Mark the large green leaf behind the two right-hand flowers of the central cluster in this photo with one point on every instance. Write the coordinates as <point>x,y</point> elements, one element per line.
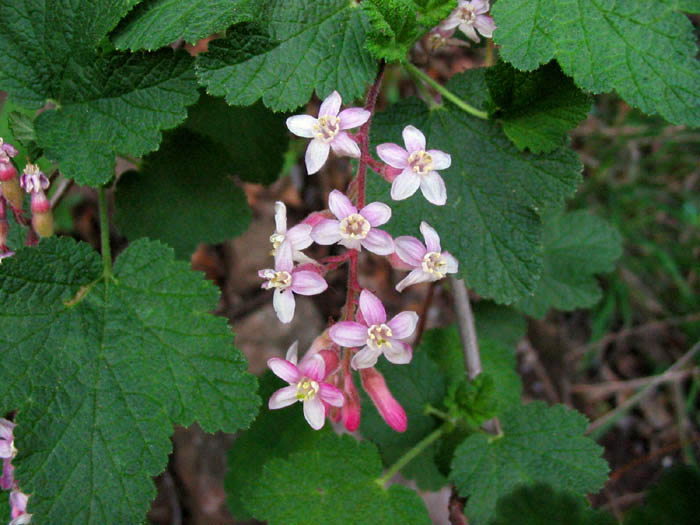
<point>489,222</point>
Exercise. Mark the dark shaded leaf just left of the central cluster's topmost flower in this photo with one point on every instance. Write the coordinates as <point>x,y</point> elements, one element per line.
<point>254,137</point>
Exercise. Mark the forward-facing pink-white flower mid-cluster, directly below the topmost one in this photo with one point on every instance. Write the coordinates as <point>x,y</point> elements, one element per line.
<point>354,229</point>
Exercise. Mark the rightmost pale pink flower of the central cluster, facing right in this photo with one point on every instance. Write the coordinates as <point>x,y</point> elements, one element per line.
<point>429,263</point>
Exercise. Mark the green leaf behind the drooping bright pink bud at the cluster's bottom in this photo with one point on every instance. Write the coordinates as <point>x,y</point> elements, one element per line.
<point>415,386</point>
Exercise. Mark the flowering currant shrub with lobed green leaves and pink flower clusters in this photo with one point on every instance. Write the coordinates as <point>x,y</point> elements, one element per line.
<point>394,160</point>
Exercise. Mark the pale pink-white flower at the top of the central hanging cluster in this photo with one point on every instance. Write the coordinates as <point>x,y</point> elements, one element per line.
<point>327,131</point>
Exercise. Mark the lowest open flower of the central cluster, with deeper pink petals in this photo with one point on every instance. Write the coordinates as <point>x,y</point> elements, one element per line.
<point>305,385</point>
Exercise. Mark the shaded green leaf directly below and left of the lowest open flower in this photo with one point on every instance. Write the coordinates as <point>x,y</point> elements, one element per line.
<point>273,434</point>
